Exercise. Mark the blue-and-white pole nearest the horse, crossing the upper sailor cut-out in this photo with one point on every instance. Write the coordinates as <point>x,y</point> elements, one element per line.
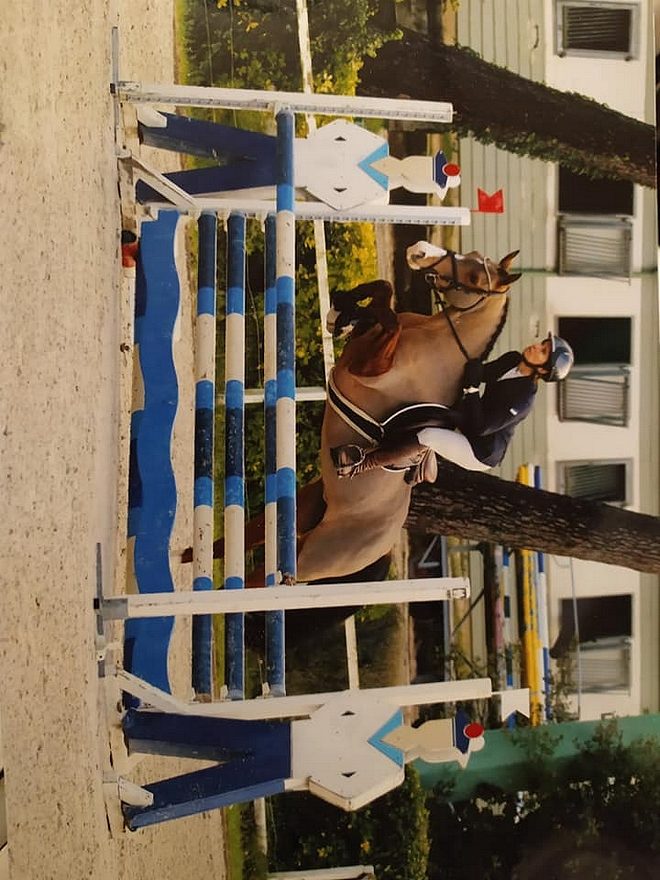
<point>286,366</point>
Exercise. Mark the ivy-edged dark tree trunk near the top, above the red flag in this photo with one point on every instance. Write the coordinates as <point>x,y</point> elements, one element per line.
<point>497,106</point>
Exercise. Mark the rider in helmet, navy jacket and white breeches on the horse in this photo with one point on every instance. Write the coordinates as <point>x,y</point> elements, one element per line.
<point>486,421</point>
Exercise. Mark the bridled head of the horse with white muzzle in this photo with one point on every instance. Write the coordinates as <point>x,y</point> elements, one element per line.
<point>462,280</point>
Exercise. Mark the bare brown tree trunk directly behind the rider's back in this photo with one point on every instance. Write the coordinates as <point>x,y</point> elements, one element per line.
<point>486,508</point>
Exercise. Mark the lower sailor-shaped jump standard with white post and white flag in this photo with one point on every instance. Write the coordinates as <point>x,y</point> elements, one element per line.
<point>351,749</point>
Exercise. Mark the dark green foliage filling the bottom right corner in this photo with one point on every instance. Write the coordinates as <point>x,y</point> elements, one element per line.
<point>597,815</point>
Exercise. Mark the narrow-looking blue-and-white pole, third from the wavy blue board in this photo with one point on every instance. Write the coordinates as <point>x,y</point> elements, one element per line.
<point>274,619</point>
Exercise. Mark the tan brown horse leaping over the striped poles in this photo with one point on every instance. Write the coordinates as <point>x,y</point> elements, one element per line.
<point>391,361</point>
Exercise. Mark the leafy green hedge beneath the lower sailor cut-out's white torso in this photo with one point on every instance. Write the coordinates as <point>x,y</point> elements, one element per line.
<point>390,833</point>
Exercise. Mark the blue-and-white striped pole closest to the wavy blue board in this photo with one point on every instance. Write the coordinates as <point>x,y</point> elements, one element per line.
<point>202,627</point>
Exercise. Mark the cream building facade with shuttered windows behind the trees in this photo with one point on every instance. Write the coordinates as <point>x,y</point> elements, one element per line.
<point>588,250</point>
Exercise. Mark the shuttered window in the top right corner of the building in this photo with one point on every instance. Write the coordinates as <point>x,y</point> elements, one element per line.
<point>593,29</point>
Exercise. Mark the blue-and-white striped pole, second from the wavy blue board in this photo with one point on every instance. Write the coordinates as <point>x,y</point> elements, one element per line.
<point>235,451</point>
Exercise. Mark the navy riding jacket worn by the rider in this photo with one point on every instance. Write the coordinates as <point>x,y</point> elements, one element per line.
<point>489,420</point>
